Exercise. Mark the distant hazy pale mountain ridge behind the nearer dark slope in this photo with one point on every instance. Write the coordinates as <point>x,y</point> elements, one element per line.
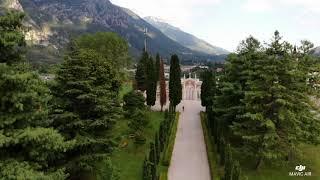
<point>183,38</point>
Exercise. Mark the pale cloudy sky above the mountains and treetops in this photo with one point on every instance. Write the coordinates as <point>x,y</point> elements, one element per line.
<point>225,23</point>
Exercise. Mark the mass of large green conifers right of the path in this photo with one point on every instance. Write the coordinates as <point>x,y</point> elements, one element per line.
<point>262,104</point>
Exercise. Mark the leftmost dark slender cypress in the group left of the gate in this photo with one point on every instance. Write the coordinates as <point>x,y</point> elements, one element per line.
<point>141,74</point>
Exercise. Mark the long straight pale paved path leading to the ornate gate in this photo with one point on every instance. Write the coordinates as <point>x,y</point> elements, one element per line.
<point>189,160</point>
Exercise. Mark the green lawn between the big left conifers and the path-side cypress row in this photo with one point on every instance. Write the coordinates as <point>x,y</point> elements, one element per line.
<point>129,159</point>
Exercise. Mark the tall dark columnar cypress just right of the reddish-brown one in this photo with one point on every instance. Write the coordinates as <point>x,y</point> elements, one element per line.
<point>175,87</point>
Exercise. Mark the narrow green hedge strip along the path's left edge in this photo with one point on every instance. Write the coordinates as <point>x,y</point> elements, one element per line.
<point>167,154</point>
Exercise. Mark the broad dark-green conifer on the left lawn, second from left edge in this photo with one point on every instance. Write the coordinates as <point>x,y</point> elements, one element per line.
<point>86,107</point>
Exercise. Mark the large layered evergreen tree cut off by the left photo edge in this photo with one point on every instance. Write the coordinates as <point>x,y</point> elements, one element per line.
<point>29,148</point>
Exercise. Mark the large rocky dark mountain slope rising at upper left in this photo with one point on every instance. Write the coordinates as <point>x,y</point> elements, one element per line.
<point>53,22</point>
